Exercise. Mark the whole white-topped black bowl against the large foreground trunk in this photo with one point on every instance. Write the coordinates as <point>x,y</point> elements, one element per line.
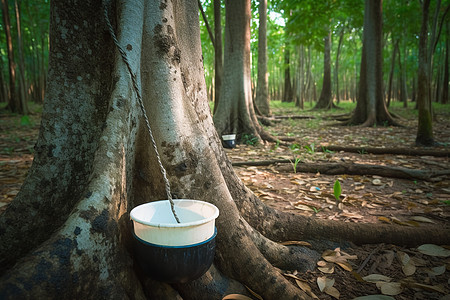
<point>174,252</point>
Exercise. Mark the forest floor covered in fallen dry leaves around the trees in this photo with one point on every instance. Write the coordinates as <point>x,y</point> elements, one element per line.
<point>420,200</point>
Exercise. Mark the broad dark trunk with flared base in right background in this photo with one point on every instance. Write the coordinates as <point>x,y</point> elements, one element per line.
<point>371,107</point>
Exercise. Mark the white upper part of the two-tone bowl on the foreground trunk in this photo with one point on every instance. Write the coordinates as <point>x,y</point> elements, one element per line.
<point>154,222</point>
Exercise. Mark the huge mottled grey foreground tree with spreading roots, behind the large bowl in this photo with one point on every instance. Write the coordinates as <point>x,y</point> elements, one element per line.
<point>67,233</point>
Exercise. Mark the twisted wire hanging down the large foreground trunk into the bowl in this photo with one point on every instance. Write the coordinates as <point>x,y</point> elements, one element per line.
<point>141,105</point>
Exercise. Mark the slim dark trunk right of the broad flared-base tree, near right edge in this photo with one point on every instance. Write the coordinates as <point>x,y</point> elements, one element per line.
<point>425,127</point>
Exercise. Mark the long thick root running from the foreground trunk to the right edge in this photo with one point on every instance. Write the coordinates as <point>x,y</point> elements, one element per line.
<point>279,226</point>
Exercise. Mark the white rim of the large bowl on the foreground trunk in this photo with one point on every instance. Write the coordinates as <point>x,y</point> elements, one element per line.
<point>175,225</point>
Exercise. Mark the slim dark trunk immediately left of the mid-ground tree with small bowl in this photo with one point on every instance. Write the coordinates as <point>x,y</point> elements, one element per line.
<point>218,54</point>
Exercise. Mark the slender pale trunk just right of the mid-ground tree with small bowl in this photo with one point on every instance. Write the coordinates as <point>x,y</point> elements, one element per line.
<point>262,88</point>
